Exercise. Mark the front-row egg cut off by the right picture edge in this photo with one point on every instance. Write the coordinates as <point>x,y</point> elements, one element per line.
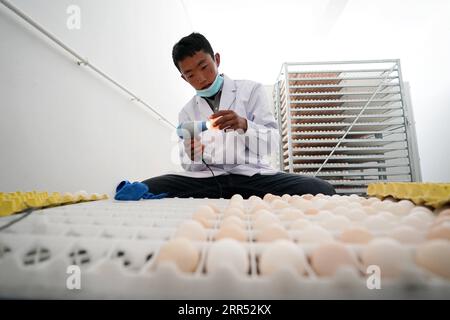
<point>434,256</point>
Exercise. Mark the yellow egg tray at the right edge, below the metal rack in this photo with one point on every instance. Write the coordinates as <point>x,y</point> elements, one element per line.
<point>434,195</point>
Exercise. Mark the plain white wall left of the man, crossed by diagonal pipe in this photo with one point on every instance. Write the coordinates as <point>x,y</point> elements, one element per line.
<point>62,127</point>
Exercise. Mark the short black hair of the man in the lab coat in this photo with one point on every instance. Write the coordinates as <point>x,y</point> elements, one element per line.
<point>190,45</point>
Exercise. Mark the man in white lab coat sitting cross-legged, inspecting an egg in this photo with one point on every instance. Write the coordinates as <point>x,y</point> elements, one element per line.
<point>231,157</point>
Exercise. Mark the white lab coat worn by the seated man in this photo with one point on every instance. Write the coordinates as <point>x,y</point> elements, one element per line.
<point>248,99</point>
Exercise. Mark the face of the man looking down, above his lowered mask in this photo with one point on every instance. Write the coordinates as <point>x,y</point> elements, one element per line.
<point>200,70</point>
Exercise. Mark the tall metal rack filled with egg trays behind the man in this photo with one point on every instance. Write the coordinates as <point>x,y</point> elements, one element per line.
<point>346,122</point>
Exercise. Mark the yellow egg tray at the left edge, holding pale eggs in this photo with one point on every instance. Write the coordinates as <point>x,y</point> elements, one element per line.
<point>14,202</point>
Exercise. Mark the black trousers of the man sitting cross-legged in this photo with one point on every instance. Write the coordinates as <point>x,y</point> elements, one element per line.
<point>258,185</point>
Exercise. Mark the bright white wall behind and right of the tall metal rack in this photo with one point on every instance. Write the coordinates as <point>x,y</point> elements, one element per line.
<point>255,37</point>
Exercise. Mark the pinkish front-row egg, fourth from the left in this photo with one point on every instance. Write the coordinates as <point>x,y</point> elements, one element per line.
<point>329,257</point>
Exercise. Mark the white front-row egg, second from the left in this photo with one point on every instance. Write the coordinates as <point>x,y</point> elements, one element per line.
<point>227,253</point>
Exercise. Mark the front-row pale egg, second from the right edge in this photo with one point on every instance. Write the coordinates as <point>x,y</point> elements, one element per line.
<point>387,254</point>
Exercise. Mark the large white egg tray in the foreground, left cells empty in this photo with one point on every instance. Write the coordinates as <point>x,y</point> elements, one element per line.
<point>115,244</point>
